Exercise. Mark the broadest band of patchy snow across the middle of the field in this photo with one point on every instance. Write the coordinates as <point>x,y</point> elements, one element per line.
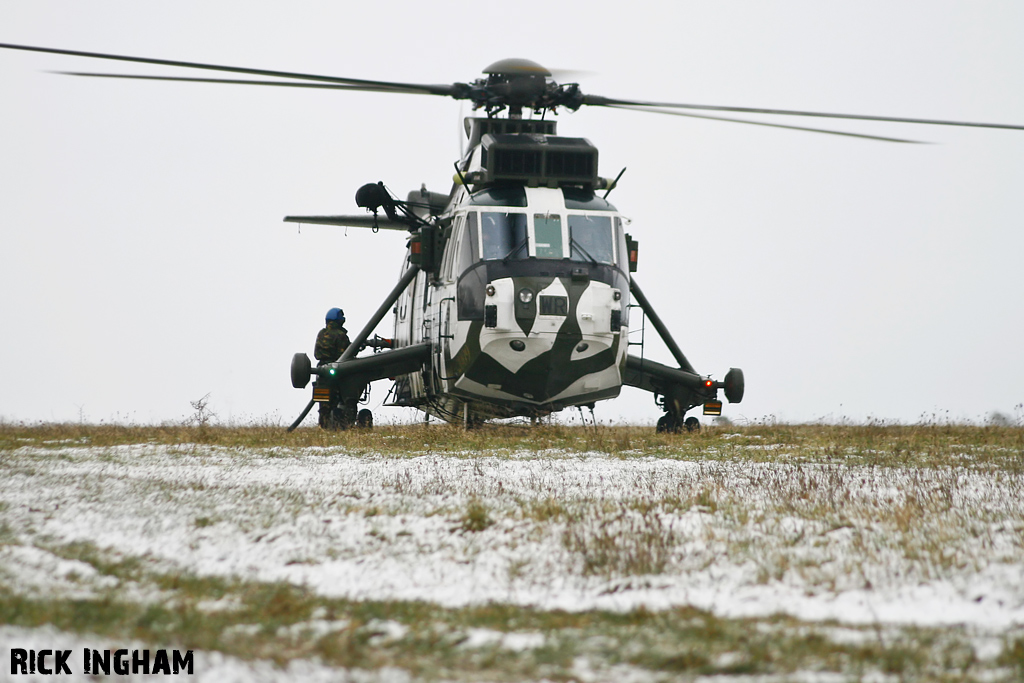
<point>859,545</point>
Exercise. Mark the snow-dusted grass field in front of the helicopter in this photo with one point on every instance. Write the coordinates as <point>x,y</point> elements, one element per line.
<point>812,553</point>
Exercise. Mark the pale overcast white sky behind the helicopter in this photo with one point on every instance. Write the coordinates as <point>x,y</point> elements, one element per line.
<point>144,263</point>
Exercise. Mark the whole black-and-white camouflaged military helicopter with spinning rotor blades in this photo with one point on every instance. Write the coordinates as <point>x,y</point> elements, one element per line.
<point>517,288</point>
